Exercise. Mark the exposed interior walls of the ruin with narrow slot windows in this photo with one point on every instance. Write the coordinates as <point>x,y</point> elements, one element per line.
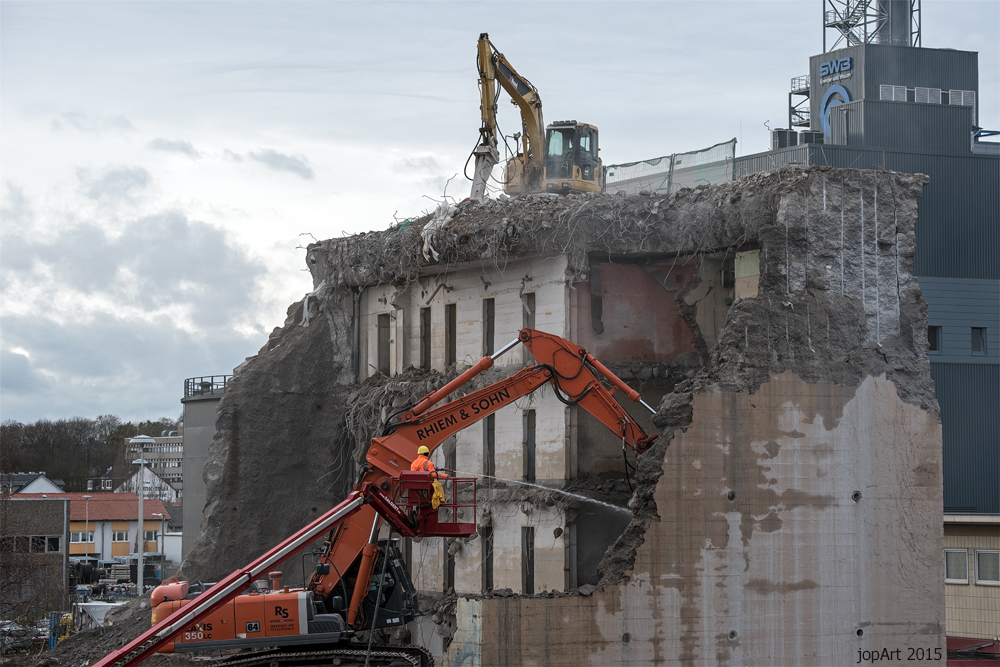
<point>453,319</point>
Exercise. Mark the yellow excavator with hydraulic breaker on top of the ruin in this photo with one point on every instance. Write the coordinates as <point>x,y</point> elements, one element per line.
<point>568,159</point>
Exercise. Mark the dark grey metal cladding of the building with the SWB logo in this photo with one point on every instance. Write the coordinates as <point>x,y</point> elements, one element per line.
<point>958,231</point>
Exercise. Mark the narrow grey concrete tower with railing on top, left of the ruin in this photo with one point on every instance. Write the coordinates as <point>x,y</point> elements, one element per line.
<point>201,403</point>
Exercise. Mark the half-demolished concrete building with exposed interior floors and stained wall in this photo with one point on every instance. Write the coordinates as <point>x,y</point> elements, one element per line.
<point>756,525</point>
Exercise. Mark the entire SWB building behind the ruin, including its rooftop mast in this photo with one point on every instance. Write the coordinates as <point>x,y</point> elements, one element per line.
<point>877,100</point>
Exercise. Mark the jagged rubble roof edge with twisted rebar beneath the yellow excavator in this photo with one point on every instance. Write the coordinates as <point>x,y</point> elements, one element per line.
<point>689,222</point>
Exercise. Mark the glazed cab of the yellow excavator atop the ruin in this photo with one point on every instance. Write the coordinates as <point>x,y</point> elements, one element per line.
<point>571,158</point>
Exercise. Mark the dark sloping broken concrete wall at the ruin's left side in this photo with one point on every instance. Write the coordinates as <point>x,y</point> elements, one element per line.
<point>277,460</point>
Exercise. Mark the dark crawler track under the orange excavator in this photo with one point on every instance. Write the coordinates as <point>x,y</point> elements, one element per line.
<point>382,655</point>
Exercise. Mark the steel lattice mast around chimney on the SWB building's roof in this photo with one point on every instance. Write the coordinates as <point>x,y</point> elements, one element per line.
<point>856,22</point>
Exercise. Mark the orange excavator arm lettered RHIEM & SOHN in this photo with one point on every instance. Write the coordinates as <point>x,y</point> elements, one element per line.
<point>576,377</point>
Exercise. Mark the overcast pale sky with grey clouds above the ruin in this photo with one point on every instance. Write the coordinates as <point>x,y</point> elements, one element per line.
<point>160,162</point>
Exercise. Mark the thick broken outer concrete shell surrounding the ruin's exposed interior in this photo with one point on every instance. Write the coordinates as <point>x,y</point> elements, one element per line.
<point>790,510</point>
